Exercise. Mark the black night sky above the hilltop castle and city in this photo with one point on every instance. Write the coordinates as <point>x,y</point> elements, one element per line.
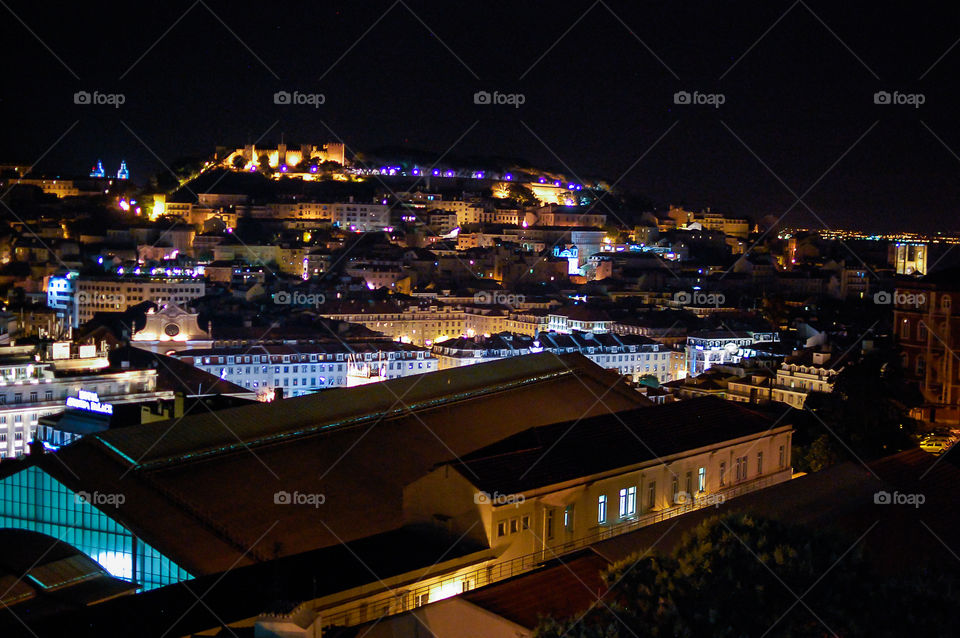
<point>798,81</point>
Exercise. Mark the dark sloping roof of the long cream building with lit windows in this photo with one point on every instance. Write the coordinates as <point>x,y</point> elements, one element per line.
<point>555,453</point>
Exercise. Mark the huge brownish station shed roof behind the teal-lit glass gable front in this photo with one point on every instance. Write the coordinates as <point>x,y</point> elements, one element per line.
<point>201,489</point>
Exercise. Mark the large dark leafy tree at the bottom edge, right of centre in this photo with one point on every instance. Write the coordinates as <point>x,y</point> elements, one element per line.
<point>741,575</point>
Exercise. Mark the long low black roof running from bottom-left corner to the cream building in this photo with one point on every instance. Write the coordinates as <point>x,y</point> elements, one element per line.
<point>243,592</point>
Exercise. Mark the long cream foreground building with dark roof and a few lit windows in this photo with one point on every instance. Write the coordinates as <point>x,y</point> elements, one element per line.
<point>559,487</point>
